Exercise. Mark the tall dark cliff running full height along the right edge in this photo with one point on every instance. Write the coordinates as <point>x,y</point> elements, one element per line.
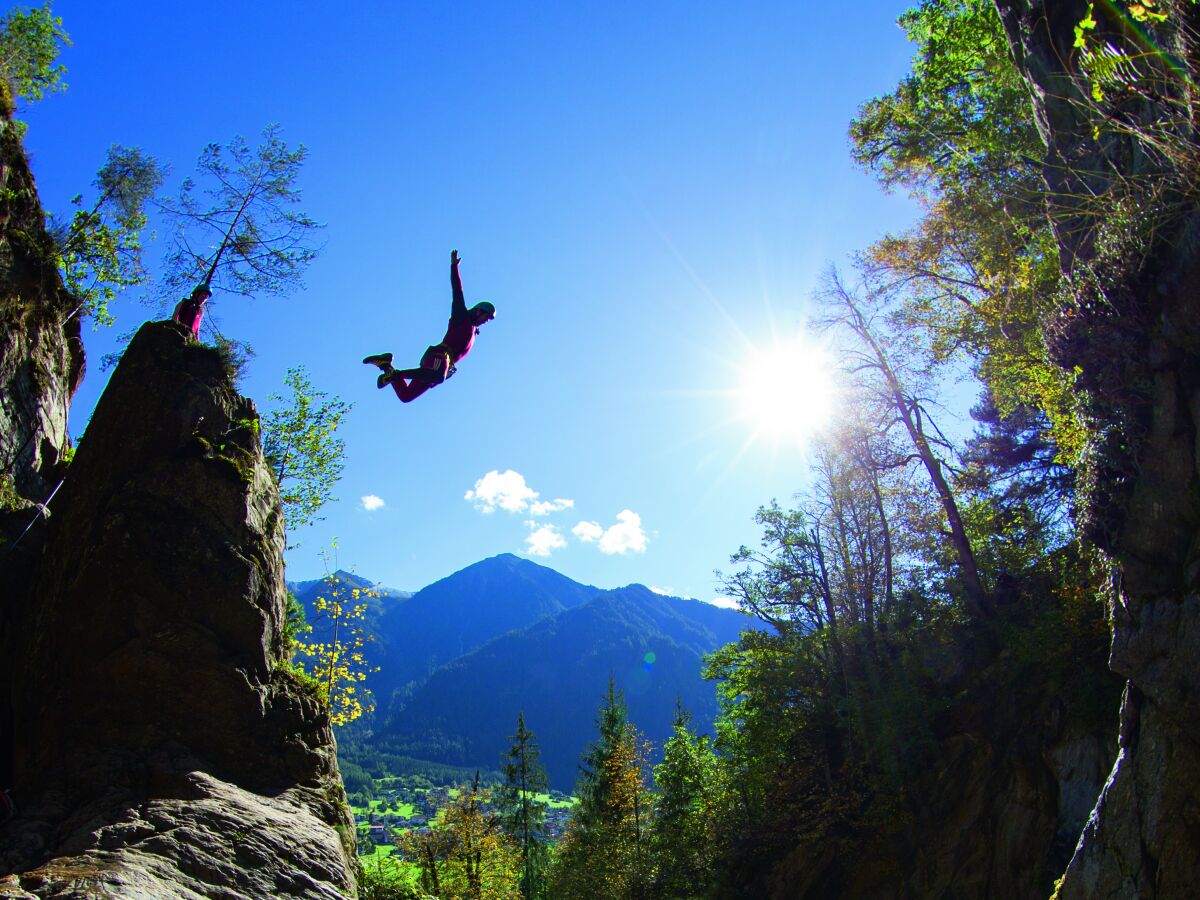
<point>1136,344</point>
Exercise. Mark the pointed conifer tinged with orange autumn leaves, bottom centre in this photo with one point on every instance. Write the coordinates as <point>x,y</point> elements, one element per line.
<point>604,853</point>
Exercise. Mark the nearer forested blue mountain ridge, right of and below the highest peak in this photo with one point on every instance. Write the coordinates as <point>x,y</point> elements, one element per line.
<point>556,671</point>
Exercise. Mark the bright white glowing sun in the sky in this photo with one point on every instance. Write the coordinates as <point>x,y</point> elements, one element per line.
<point>788,391</point>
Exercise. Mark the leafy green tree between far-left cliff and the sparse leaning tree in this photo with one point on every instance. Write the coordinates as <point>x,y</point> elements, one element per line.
<point>100,251</point>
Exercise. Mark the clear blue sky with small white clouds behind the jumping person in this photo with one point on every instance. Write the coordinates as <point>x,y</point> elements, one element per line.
<point>647,191</point>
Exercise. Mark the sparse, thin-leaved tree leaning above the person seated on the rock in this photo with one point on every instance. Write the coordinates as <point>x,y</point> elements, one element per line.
<point>237,229</point>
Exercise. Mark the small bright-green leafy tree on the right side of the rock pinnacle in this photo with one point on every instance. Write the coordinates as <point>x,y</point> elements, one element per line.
<point>301,445</point>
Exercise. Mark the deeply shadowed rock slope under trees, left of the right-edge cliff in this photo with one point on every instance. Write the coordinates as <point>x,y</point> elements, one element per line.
<point>995,814</point>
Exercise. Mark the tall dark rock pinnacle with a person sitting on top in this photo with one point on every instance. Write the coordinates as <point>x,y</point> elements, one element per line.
<point>160,748</point>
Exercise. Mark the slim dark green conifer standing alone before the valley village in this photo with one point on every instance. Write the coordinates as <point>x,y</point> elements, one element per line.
<point>521,814</point>
